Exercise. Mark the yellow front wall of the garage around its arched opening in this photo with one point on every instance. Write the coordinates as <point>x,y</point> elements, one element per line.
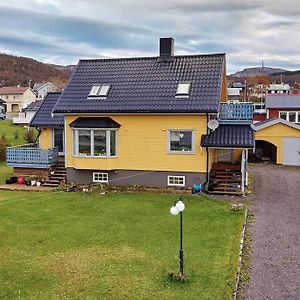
<point>274,135</point>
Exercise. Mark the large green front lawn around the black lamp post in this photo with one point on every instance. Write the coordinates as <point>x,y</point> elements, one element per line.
<point>58,245</point>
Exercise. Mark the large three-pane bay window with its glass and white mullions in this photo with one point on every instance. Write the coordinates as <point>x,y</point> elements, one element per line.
<point>95,142</point>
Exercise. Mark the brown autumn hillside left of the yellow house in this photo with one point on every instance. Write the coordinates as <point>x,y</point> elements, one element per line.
<point>22,70</point>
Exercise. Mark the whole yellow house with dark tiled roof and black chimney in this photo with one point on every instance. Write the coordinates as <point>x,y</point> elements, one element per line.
<point>145,121</point>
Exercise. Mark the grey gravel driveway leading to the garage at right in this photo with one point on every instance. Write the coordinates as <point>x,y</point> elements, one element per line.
<point>275,248</point>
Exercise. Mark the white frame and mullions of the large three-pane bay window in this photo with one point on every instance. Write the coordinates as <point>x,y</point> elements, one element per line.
<point>108,136</point>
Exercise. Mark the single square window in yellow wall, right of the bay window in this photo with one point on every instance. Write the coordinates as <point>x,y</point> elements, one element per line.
<point>181,141</point>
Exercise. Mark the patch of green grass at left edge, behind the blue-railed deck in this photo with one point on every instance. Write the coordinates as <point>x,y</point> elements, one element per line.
<point>13,134</point>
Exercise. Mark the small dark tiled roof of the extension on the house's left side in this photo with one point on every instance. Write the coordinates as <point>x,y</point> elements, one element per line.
<point>43,117</point>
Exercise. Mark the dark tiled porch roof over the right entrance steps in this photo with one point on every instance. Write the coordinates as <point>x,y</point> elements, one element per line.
<point>230,136</point>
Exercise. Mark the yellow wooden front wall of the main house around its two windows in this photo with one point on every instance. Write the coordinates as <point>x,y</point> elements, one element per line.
<point>142,145</point>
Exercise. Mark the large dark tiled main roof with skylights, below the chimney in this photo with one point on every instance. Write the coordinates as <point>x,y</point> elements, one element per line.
<point>144,85</point>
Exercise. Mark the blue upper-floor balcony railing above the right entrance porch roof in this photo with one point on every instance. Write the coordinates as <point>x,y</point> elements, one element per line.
<point>241,113</point>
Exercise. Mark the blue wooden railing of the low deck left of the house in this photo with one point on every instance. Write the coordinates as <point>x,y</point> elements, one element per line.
<point>30,156</point>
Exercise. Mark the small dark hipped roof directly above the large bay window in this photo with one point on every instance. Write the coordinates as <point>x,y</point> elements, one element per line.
<point>94,122</point>
